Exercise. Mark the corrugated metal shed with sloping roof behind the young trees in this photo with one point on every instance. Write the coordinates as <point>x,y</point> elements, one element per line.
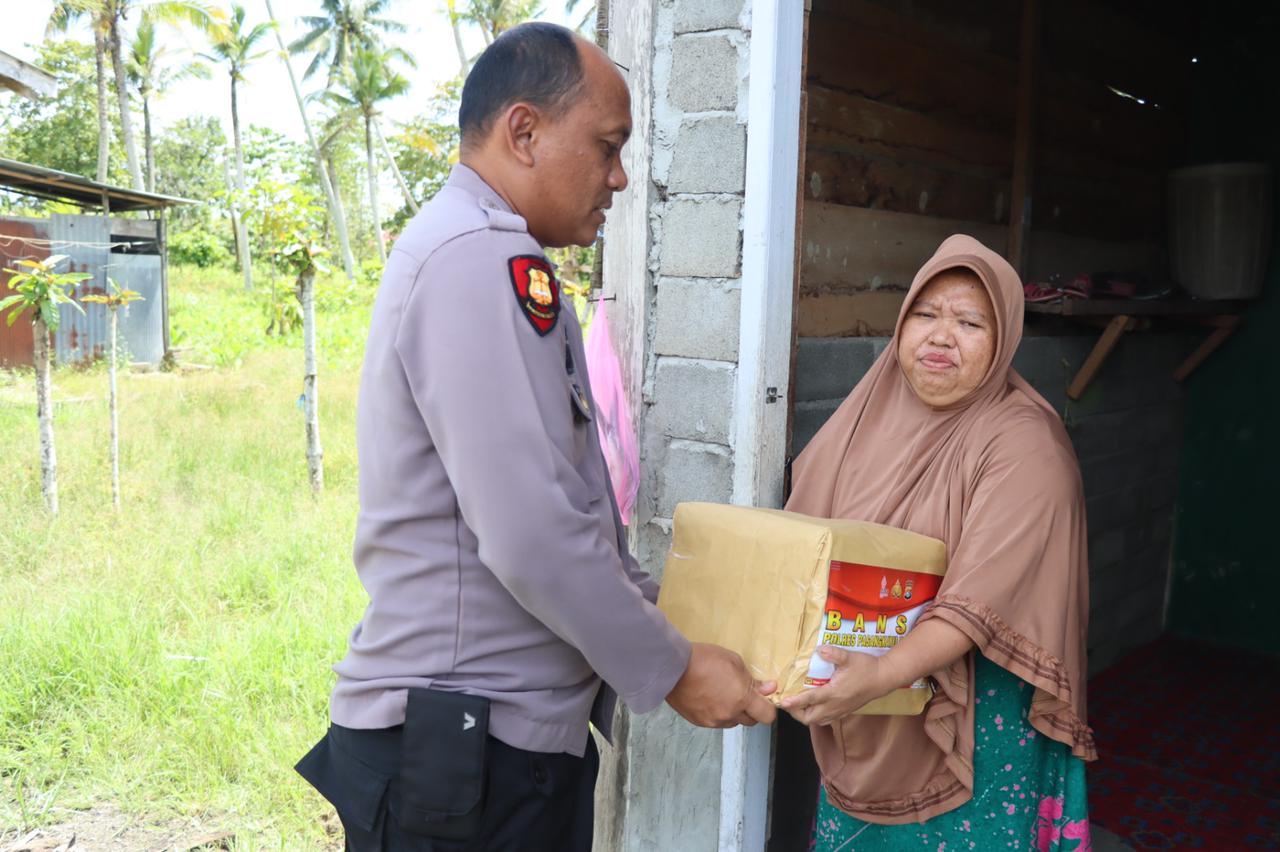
<point>130,251</point>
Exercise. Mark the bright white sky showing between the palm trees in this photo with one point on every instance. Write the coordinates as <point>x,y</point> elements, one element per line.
<point>267,99</point>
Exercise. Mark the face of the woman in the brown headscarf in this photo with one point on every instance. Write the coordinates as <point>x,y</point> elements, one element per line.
<point>949,338</point>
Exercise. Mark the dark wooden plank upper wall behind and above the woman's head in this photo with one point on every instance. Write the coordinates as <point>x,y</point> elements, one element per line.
<point>911,139</point>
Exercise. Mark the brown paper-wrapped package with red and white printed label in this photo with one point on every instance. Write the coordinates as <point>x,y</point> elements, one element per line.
<point>775,587</point>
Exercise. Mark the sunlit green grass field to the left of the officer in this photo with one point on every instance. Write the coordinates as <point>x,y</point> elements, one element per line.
<point>172,661</point>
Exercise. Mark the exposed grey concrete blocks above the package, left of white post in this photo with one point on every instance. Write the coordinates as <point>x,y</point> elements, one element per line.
<point>700,154</point>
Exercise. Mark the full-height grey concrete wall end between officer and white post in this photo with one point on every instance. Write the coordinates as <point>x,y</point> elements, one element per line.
<point>684,328</point>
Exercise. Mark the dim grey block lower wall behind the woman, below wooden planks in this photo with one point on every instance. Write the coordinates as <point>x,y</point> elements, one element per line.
<point>1127,432</point>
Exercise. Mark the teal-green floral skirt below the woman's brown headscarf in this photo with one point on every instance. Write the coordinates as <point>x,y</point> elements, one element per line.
<point>1028,794</point>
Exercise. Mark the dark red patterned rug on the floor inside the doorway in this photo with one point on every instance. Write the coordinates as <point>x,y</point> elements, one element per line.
<point>1190,749</point>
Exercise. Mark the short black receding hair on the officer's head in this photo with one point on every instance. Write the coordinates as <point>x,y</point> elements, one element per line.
<point>537,63</point>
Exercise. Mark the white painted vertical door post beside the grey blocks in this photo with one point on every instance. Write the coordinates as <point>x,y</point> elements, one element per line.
<point>765,350</point>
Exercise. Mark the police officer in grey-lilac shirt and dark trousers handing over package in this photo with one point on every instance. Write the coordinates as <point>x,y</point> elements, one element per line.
<point>505,608</point>
